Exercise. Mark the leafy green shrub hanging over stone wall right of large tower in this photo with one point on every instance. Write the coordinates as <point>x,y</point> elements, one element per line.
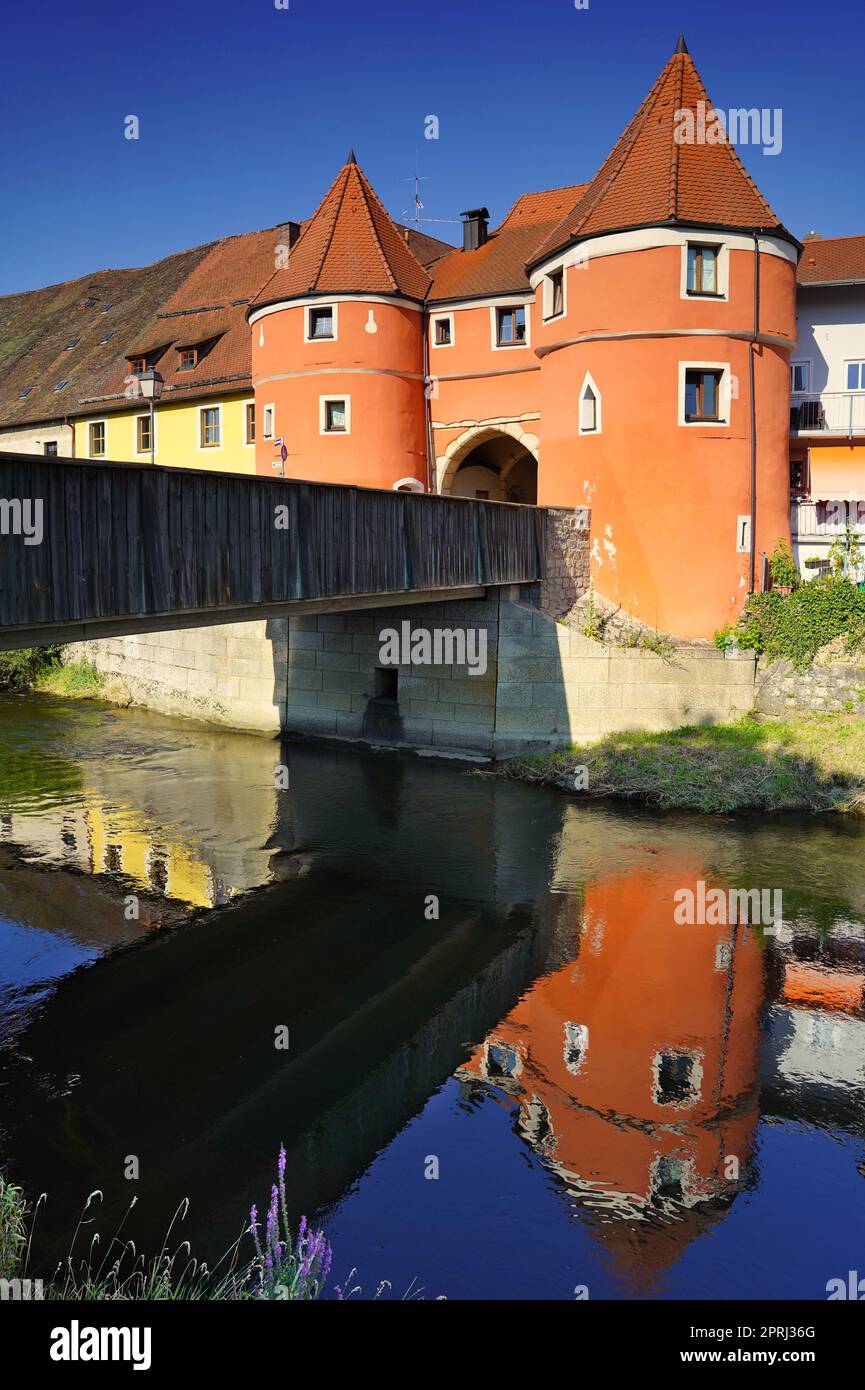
<point>795,626</point>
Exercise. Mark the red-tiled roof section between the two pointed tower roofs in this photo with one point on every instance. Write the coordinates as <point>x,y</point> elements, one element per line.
<point>500,265</point>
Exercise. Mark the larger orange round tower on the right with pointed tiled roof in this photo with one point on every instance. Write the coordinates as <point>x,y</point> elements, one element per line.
<point>665,376</point>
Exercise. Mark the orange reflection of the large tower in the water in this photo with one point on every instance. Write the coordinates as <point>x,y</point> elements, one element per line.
<point>635,1065</point>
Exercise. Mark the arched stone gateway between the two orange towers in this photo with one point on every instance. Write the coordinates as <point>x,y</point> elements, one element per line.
<point>499,462</point>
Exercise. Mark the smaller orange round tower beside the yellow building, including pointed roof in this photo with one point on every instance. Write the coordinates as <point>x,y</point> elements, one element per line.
<point>337,348</point>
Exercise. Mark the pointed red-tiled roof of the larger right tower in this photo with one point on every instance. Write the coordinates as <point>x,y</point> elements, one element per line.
<point>652,179</point>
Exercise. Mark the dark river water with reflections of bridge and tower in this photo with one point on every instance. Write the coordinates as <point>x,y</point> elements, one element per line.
<point>510,1072</point>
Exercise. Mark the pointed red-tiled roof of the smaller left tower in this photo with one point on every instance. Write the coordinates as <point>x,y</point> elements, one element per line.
<point>350,247</point>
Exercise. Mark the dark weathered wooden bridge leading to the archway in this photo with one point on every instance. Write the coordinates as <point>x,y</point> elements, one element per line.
<point>97,550</point>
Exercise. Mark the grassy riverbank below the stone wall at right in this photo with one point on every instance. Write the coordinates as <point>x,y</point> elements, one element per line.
<point>810,764</point>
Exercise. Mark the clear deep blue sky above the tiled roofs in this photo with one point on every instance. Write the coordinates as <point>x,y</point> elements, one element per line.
<point>247,112</point>
